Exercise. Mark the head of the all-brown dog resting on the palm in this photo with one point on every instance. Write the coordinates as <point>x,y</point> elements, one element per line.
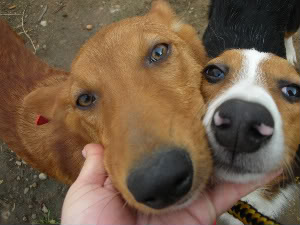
<point>135,88</point>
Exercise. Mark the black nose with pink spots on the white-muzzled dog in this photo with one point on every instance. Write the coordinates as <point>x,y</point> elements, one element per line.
<point>242,126</point>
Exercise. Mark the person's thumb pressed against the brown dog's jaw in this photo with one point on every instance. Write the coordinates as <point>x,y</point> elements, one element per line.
<point>93,171</point>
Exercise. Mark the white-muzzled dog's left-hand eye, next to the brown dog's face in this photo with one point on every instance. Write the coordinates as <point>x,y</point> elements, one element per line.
<point>215,73</point>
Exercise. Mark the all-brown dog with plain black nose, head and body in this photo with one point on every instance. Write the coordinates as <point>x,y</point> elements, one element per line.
<point>134,88</point>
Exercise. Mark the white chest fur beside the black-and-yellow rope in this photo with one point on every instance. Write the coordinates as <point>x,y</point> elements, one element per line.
<point>273,208</point>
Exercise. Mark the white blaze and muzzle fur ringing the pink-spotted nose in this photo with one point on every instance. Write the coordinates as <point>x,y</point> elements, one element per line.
<point>249,85</point>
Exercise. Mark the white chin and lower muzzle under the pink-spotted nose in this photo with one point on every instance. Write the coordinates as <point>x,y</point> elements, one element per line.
<point>245,167</point>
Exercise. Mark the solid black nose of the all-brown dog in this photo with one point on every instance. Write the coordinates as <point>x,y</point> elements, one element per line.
<point>162,179</point>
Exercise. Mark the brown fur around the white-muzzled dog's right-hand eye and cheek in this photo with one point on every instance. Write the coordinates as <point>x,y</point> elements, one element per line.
<point>276,69</point>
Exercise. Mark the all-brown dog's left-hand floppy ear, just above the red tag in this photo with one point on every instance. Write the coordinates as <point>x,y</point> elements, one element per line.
<point>49,102</point>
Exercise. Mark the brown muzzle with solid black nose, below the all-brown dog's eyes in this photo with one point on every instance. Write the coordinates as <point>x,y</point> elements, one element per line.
<point>157,163</point>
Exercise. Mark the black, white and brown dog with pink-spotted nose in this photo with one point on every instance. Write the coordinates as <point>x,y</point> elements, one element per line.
<point>253,96</point>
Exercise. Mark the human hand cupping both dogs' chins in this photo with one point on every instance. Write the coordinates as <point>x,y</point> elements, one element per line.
<point>93,200</point>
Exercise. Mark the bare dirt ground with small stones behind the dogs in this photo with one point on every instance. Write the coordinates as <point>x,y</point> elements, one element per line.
<point>58,28</point>
